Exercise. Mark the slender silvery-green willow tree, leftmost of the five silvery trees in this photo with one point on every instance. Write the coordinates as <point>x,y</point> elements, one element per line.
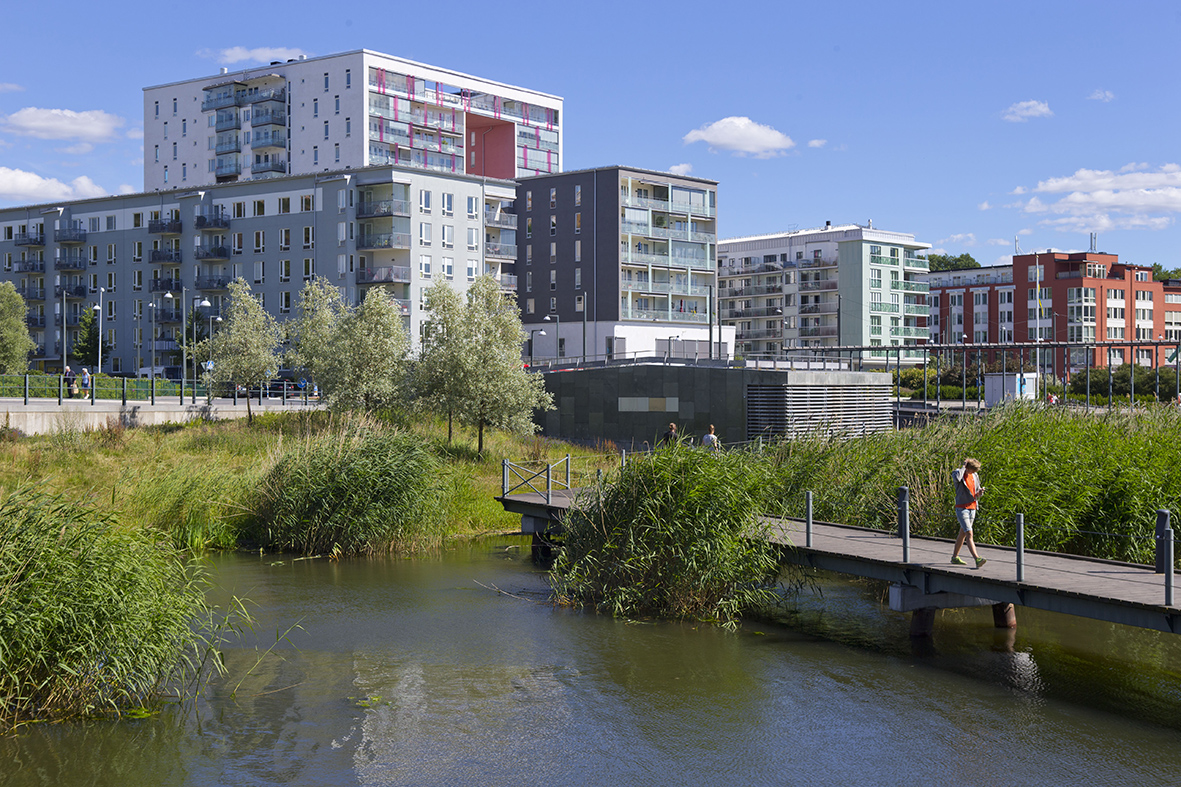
<point>246,348</point>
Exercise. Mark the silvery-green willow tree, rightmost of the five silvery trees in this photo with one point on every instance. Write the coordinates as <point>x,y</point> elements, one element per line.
<point>499,392</point>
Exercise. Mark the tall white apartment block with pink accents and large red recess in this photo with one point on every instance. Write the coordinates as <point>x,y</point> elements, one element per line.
<point>345,112</point>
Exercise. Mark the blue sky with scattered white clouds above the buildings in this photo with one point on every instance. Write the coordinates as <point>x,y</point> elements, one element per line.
<point>967,125</point>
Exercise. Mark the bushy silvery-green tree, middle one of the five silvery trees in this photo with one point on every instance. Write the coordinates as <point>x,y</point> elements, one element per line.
<point>366,367</point>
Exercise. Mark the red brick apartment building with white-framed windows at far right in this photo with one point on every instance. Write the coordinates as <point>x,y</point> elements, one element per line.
<point>1054,297</point>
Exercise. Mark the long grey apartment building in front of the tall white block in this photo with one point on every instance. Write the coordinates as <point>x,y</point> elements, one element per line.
<point>152,258</point>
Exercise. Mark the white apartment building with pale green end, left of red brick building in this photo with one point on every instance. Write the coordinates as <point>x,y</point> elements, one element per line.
<point>845,285</point>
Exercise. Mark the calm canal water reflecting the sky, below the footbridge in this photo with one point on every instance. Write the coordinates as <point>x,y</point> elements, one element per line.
<point>455,669</point>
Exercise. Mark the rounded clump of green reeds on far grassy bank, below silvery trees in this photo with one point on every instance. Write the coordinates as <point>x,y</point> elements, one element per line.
<point>360,489</point>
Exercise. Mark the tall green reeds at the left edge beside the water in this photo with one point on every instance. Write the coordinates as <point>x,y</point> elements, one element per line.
<point>95,619</point>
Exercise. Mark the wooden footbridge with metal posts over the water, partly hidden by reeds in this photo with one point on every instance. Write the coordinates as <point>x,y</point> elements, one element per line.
<point>919,569</point>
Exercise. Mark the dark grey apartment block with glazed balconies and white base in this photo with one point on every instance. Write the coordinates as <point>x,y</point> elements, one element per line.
<point>618,262</point>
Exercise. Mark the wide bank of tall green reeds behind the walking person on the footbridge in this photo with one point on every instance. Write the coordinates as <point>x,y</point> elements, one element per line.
<point>1072,474</point>
